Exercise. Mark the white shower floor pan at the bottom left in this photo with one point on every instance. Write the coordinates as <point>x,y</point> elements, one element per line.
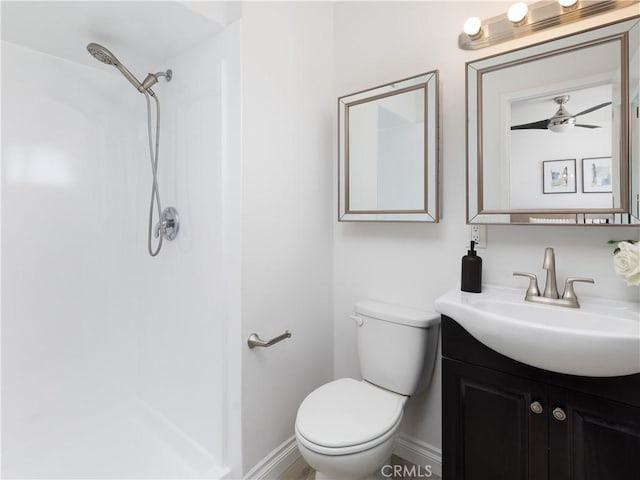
<point>125,443</point>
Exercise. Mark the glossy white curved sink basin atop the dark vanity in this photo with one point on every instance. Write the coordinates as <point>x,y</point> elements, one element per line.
<point>600,339</point>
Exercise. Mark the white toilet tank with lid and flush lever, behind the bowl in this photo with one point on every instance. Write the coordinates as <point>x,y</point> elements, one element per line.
<point>397,345</point>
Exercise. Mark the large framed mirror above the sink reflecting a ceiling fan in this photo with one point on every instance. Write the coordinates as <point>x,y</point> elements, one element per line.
<point>553,131</point>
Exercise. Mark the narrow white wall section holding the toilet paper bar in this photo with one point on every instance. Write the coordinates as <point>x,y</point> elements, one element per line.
<point>287,218</point>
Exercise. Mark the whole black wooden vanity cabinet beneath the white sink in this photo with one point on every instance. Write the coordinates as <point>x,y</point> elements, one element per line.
<point>503,420</point>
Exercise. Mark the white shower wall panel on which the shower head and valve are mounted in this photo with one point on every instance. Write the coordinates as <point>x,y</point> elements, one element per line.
<point>186,302</point>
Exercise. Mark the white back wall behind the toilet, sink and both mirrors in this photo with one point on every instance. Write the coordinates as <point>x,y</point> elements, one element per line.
<point>376,43</point>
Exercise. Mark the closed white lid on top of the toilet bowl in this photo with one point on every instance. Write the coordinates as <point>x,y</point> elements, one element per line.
<point>347,412</point>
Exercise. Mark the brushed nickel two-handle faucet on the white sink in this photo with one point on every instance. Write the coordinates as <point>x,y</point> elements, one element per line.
<point>550,295</point>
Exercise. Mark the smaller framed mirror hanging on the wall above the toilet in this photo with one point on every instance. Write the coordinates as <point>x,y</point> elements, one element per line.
<point>388,152</point>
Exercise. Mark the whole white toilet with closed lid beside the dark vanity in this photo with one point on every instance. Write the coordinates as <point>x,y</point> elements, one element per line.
<point>346,429</point>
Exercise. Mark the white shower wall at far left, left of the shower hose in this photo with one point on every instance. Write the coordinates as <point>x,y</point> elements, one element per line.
<point>62,311</point>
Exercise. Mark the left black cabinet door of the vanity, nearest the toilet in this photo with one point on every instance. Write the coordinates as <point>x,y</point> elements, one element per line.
<point>489,429</point>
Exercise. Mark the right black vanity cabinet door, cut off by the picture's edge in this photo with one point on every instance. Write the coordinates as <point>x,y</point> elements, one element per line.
<point>598,439</point>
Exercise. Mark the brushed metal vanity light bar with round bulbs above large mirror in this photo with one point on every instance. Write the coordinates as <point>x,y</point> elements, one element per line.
<point>522,19</point>
